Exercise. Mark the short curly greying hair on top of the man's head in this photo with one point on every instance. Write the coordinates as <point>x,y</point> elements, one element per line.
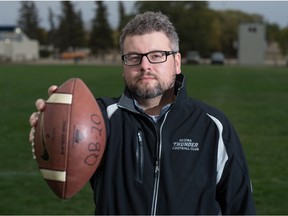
<point>149,22</point>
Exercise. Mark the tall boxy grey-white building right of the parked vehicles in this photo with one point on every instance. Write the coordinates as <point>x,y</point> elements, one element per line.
<point>251,44</point>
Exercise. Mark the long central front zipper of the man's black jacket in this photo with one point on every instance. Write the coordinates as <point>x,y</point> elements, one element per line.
<point>157,169</point>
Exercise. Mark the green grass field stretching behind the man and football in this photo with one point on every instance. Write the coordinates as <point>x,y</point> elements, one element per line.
<point>254,98</point>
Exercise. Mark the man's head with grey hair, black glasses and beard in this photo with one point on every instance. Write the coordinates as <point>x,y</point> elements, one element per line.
<point>150,53</point>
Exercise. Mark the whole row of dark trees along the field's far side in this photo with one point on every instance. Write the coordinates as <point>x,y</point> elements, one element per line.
<point>199,27</point>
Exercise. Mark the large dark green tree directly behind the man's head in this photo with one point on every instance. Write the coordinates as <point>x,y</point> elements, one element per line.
<point>191,19</point>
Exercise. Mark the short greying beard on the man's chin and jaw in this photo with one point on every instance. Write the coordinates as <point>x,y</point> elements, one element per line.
<point>147,90</point>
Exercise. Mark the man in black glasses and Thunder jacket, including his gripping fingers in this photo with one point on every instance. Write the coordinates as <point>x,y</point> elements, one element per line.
<point>166,153</point>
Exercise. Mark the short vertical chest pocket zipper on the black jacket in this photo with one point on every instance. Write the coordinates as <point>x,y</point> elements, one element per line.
<point>139,157</point>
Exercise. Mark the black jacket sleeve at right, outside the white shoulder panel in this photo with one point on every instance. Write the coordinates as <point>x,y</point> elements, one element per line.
<point>234,190</point>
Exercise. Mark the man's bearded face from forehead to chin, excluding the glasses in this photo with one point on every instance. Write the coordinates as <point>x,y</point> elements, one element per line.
<point>148,80</point>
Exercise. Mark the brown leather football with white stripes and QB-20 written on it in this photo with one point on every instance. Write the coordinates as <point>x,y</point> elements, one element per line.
<point>70,138</point>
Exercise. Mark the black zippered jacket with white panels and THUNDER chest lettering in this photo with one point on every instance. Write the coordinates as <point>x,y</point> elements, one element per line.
<point>189,162</point>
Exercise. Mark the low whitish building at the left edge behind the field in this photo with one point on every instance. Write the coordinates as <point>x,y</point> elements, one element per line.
<point>16,46</point>
